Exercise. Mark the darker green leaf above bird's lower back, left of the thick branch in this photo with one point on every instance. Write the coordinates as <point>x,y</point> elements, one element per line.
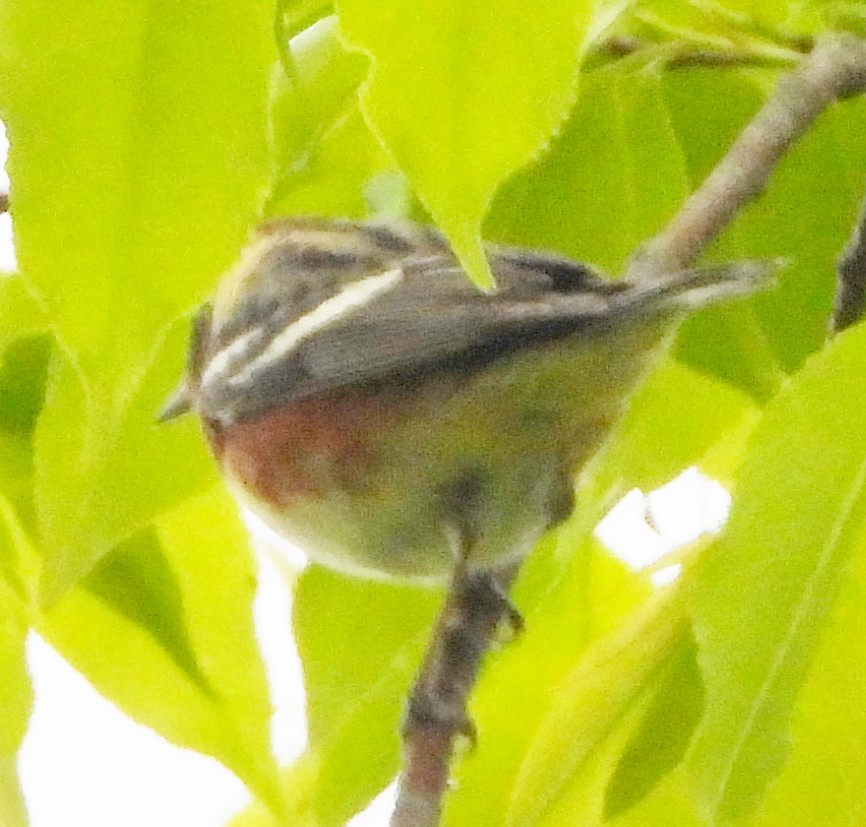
<point>610,178</point>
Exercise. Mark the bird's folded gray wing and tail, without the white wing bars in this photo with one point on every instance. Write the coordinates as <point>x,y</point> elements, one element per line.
<point>437,317</point>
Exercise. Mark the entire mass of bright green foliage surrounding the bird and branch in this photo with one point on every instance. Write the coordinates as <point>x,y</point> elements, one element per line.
<point>147,141</point>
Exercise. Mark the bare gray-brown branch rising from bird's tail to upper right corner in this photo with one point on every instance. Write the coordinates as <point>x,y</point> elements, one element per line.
<point>835,69</point>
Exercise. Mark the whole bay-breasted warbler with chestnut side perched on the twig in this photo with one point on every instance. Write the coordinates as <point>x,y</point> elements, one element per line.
<point>377,409</point>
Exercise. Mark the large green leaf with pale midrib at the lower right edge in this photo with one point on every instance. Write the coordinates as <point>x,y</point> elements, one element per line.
<point>760,598</point>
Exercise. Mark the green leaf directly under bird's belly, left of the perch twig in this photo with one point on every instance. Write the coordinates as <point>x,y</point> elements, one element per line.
<point>360,643</point>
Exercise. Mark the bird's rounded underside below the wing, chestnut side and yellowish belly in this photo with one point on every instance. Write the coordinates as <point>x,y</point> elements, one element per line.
<point>366,483</point>
